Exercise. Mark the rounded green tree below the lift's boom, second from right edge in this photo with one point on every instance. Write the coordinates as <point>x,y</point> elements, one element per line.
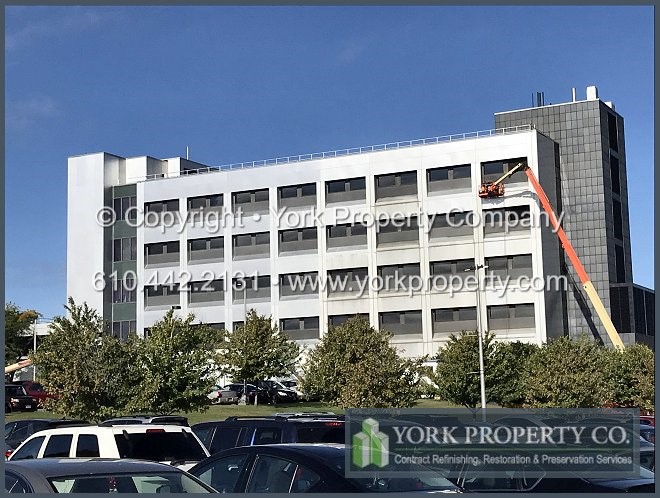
<point>568,373</point>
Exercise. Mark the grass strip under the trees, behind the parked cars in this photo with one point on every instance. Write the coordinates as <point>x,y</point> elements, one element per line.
<point>221,412</point>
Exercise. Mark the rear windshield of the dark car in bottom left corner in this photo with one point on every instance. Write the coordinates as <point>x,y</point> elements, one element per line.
<point>152,482</point>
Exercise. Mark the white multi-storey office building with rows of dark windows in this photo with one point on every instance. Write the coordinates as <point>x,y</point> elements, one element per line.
<point>389,232</point>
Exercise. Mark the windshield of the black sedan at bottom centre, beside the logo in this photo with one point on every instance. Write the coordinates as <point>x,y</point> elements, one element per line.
<point>413,478</point>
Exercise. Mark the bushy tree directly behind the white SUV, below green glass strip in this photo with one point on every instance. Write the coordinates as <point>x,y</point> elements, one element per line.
<point>175,366</point>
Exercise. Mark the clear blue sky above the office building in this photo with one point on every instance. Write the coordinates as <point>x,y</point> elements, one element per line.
<point>247,83</point>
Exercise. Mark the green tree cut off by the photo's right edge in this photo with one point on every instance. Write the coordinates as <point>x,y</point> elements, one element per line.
<point>630,375</point>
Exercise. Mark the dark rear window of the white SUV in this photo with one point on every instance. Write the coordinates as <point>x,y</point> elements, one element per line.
<point>160,446</point>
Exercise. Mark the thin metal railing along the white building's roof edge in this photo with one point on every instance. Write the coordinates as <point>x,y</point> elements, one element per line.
<point>342,152</point>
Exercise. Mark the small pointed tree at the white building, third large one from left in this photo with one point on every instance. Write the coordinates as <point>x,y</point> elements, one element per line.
<point>257,350</point>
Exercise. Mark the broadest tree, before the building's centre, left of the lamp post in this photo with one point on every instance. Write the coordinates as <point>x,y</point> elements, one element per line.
<point>354,366</point>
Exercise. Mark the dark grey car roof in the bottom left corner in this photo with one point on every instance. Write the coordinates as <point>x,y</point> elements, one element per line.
<point>49,467</point>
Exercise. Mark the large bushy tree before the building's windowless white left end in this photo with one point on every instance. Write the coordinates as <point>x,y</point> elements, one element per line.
<point>89,370</point>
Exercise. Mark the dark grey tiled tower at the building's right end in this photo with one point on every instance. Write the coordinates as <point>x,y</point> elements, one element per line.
<point>594,199</point>
